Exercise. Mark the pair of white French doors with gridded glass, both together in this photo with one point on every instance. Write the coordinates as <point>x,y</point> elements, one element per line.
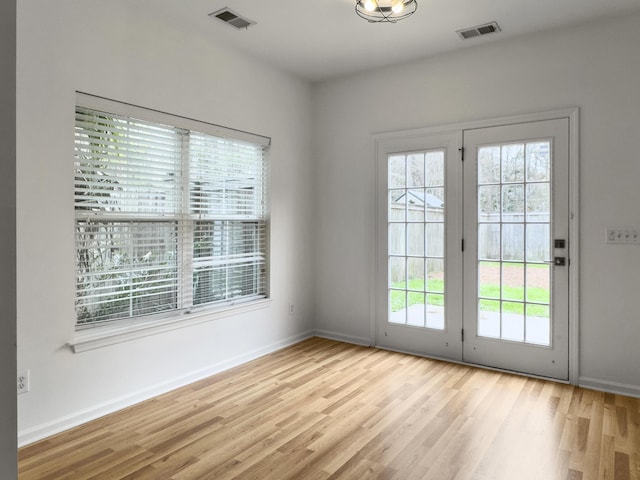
<point>472,255</point>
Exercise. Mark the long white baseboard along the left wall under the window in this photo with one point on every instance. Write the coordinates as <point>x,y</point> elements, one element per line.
<point>44,430</point>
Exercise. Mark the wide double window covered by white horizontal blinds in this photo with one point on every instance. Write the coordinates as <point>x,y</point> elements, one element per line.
<point>170,214</point>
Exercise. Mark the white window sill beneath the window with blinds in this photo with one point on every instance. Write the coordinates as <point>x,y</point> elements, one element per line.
<point>102,336</point>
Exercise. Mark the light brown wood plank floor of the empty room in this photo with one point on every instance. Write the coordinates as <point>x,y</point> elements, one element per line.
<point>325,410</point>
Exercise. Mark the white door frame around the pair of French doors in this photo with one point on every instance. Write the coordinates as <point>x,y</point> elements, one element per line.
<point>573,252</point>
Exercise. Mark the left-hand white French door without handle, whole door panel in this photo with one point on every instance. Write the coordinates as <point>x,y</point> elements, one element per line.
<point>419,183</point>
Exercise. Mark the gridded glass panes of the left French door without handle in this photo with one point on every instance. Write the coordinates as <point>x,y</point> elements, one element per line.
<point>416,232</point>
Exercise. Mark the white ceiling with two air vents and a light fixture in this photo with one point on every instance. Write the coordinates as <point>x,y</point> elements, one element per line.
<point>322,39</point>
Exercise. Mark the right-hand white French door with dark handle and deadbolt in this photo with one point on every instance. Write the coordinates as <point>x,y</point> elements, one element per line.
<point>516,223</point>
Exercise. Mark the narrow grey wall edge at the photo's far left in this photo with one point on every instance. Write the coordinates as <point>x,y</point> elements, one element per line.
<point>8,457</point>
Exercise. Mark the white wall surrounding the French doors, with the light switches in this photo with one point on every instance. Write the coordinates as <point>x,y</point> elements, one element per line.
<point>594,67</point>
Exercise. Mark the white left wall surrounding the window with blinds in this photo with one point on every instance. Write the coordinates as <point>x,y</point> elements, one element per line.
<point>117,51</point>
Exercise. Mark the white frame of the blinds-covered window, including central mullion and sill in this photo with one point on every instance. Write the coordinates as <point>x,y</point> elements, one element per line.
<point>98,334</point>
